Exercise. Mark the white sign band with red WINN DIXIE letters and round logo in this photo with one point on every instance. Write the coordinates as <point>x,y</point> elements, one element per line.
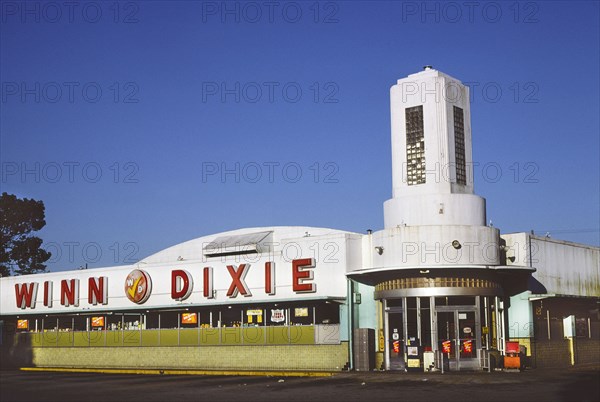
<point>161,286</point>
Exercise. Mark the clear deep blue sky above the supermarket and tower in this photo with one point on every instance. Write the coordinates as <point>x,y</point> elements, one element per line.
<point>122,116</point>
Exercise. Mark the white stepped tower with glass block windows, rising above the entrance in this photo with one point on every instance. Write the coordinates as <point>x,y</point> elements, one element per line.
<point>432,163</point>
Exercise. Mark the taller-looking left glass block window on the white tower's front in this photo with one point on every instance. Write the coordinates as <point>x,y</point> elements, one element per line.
<point>415,146</point>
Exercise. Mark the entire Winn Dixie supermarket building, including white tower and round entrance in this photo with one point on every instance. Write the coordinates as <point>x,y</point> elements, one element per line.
<point>437,287</point>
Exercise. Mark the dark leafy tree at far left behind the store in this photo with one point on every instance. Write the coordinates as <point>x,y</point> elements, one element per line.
<point>20,252</point>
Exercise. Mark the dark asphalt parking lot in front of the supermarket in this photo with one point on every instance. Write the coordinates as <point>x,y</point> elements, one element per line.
<point>532,385</point>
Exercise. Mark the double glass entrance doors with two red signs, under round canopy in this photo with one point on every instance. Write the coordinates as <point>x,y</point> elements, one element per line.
<point>457,338</point>
